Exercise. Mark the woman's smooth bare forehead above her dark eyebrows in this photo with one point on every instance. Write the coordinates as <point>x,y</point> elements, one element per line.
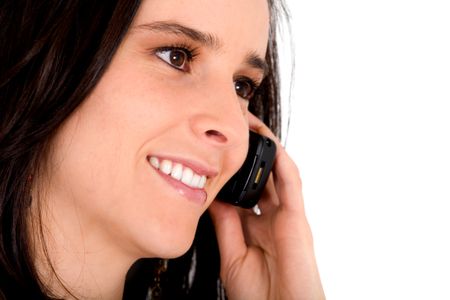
<point>236,23</point>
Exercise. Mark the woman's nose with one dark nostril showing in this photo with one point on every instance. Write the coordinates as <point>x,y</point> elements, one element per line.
<point>220,117</point>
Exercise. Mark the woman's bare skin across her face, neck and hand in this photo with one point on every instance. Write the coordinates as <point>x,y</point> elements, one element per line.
<point>104,206</point>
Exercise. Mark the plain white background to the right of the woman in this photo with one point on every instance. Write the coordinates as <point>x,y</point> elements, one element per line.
<point>370,131</point>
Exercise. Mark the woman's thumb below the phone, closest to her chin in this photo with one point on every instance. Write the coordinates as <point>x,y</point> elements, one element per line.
<point>230,236</point>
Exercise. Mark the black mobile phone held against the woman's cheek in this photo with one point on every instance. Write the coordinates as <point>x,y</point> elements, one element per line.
<point>245,187</point>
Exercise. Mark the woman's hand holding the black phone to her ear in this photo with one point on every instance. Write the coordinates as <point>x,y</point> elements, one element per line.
<point>269,256</point>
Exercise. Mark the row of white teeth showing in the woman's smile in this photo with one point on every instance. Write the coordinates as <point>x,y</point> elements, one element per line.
<point>179,172</point>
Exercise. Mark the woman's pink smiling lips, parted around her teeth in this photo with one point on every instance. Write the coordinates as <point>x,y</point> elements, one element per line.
<point>192,193</point>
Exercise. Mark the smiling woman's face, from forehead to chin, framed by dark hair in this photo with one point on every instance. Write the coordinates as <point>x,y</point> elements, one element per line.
<point>174,96</point>
